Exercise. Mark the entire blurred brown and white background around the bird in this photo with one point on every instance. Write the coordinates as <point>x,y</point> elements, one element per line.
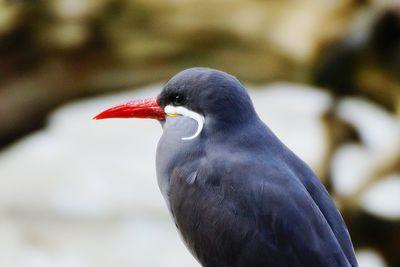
<point>324,75</point>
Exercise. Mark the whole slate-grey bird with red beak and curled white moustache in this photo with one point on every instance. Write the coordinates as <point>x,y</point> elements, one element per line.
<point>238,196</point>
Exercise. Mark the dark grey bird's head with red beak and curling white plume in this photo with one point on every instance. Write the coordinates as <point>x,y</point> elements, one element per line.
<point>199,93</point>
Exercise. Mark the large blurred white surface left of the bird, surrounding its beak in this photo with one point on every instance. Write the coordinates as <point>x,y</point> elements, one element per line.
<point>84,193</point>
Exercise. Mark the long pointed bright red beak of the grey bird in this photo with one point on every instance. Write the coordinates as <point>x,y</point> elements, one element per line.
<point>146,108</point>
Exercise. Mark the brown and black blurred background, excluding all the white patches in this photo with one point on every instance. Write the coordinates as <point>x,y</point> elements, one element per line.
<point>52,52</point>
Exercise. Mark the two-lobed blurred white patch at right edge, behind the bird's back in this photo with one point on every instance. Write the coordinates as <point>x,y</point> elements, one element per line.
<point>355,164</point>
